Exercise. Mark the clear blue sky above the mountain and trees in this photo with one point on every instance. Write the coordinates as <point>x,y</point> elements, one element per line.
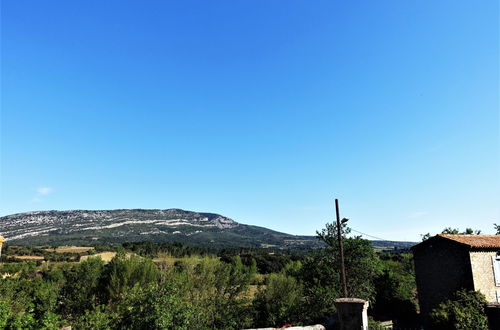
<point>263,111</point>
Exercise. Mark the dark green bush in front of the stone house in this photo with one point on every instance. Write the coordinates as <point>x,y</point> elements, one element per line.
<point>464,310</point>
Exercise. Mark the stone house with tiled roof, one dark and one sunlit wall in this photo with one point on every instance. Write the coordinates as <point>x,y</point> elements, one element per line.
<point>446,263</point>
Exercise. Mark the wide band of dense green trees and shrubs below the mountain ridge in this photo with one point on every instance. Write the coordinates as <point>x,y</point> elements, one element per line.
<point>167,286</point>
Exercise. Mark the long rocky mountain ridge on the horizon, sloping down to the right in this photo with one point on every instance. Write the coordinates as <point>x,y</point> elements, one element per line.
<point>76,227</point>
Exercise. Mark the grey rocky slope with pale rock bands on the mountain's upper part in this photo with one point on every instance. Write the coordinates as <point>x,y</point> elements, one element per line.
<point>119,223</point>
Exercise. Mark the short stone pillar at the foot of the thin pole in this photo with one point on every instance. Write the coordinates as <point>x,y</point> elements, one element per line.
<point>353,313</point>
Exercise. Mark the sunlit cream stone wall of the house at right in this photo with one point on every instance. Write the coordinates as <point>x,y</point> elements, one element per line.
<point>483,275</point>
